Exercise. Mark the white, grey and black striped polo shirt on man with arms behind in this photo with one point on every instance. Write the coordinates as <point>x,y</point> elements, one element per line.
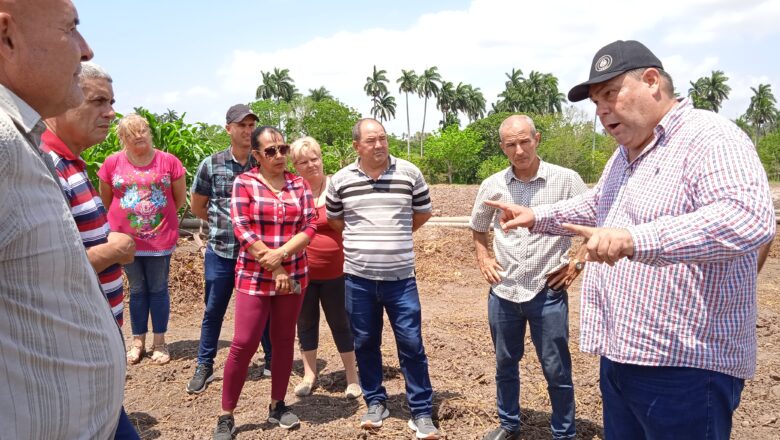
<point>377,218</point>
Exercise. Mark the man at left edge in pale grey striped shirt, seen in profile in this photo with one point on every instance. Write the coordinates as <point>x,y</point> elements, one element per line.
<point>62,371</point>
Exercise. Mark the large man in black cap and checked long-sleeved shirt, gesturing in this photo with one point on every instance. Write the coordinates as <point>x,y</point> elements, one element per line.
<point>678,217</point>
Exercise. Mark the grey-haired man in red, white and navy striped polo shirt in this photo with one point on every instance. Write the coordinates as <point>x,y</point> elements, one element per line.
<point>66,137</point>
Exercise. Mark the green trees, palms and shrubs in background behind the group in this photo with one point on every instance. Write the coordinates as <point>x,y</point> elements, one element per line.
<point>449,154</point>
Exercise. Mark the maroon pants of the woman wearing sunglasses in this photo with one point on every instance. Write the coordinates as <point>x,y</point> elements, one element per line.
<point>251,315</point>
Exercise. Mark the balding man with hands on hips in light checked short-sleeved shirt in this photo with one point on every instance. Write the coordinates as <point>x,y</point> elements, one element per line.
<point>528,277</point>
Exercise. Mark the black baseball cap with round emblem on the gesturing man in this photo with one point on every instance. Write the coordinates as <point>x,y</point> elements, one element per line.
<point>612,60</point>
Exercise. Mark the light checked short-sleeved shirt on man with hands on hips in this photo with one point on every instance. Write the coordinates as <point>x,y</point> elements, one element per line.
<point>526,258</point>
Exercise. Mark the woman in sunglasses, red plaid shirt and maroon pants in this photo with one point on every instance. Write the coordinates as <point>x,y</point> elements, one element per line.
<point>273,218</point>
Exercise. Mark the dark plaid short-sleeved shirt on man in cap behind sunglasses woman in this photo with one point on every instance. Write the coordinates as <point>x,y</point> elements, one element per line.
<point>214,179</point>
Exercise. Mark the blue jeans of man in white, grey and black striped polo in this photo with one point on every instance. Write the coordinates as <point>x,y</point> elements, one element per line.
<point>365,300</point>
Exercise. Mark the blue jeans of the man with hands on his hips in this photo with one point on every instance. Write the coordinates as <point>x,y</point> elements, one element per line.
<point>547,315</point>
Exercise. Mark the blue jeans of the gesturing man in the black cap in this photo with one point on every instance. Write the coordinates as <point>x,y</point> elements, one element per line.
<point>643,402</point>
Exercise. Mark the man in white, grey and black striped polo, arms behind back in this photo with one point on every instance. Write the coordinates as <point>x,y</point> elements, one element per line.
<point>378,202</point>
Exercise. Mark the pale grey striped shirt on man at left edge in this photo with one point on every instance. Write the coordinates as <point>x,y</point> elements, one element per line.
<point>62,360</point>
